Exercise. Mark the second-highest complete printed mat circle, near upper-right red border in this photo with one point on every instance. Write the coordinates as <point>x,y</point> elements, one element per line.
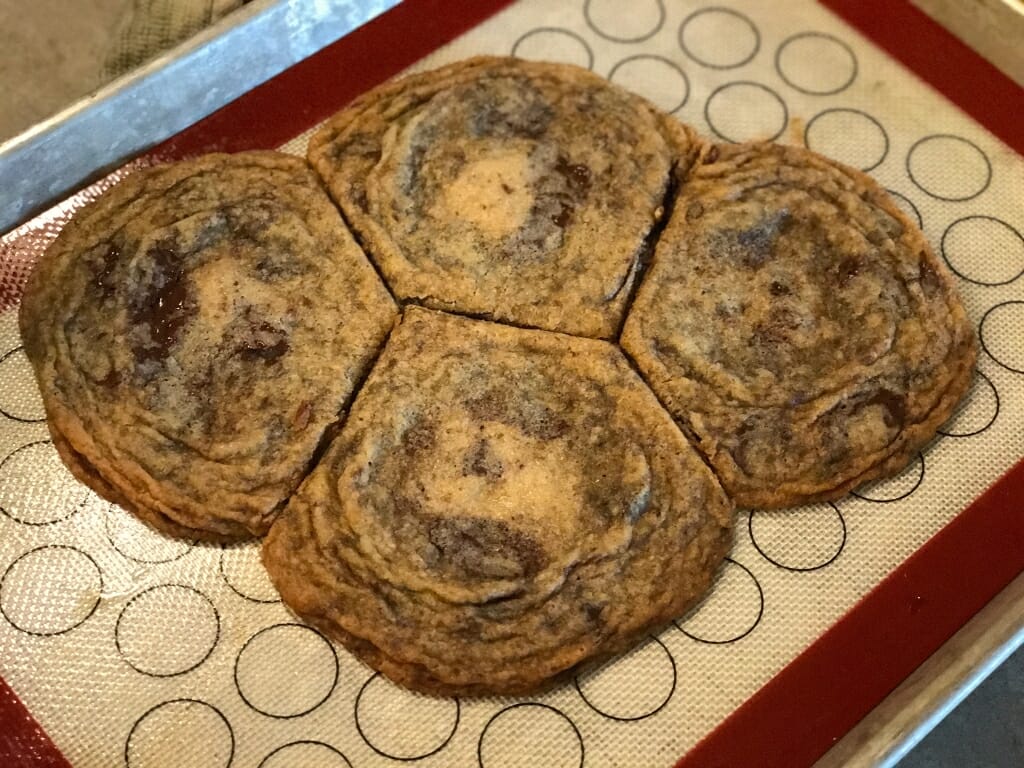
<point>817,64</point>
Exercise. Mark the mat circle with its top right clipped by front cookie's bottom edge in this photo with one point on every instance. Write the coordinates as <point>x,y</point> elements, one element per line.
<point>385,713</point>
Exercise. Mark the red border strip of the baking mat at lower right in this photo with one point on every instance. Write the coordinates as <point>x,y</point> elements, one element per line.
<point>822,695</point>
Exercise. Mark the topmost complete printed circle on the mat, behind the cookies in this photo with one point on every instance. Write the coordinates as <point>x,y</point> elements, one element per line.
<point>720,38</point>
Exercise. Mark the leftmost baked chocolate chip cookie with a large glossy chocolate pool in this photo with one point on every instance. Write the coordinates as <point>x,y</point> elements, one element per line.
<point>194,333</point>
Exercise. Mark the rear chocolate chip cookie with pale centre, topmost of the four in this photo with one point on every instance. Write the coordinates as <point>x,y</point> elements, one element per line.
<point>507,190</point>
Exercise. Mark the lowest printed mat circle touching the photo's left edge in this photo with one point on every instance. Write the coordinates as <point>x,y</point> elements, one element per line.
<point>51,590</point>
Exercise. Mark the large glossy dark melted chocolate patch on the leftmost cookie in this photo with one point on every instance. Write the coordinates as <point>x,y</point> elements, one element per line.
<point>163,307</point>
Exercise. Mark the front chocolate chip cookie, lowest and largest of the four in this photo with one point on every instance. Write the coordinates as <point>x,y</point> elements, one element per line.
<point>501,506</point>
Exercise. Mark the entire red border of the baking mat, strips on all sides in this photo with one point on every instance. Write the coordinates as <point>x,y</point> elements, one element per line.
<point>795,718</point>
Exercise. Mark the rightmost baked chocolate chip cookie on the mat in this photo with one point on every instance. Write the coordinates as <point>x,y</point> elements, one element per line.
<point>798,326</point>
